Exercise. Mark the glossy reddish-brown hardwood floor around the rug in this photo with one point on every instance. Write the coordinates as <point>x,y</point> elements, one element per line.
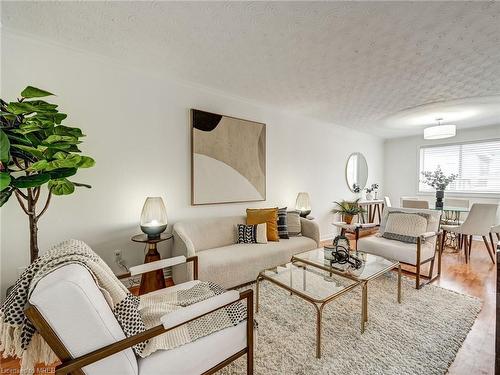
<point>478,278</point>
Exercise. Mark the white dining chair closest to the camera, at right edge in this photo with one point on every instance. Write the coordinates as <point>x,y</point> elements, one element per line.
<point>482,217</point>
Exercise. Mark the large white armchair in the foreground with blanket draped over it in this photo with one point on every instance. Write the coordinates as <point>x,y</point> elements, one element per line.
<point>72,315</point>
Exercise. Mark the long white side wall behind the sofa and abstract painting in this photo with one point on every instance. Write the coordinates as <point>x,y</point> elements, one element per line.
<point>138,131</point>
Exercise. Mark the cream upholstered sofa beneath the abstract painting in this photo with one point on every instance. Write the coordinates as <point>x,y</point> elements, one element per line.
<point>223,261</point>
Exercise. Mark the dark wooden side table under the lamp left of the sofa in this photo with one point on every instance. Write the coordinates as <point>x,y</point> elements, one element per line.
<point>153,280</point>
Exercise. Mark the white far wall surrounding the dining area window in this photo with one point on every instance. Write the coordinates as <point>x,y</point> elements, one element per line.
<point>401,164</point>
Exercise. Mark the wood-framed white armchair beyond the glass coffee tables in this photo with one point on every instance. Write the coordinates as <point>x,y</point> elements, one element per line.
<point>424,251</point>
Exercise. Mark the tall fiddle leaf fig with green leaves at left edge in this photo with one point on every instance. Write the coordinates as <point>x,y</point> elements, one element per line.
<point>37,151</point>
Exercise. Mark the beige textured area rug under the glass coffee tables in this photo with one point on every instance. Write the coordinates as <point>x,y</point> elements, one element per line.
<point>419,336</point>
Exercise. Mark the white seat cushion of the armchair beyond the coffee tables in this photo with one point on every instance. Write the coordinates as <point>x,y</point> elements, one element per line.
<point>396,250</point>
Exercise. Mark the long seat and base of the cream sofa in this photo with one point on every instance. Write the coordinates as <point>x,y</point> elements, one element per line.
<point>234,265</point>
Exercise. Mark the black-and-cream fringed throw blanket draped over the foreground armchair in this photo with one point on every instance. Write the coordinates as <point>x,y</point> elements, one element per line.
<point>19,338</point>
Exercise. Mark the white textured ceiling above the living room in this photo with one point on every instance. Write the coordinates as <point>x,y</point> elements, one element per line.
<point>349,63</point>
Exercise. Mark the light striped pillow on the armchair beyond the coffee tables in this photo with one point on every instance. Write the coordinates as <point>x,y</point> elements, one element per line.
<point>405,226</point>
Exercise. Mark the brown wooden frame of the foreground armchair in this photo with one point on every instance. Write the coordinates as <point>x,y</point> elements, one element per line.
<point>73,366</point>
